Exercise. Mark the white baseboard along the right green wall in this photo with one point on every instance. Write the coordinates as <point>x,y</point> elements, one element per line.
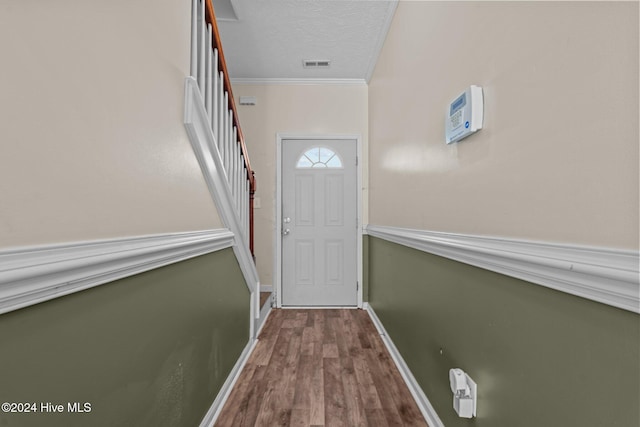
<point>421,399</point>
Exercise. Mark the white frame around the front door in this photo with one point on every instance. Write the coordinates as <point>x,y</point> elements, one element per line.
<point>277,267</point>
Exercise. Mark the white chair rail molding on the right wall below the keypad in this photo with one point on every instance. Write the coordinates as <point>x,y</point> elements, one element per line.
<point>605,275</point>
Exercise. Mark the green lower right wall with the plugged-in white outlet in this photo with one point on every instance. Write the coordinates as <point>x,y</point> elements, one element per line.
<point>540,357</point>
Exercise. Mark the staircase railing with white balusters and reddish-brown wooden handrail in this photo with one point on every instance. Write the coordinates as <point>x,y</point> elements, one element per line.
<point>211,120</point>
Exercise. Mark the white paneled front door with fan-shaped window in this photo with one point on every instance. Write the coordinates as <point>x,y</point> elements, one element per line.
<point>319,223</point>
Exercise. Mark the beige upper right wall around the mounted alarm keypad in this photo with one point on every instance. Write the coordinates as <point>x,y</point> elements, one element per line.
<point>558,158</point>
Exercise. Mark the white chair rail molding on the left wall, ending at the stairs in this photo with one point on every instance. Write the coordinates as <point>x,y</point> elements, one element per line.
<point>31,275</point>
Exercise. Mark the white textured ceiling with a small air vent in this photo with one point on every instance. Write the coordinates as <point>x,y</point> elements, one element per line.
<point>270,38</point>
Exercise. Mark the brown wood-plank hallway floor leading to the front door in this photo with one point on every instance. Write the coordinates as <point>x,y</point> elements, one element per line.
<point>320,368</point>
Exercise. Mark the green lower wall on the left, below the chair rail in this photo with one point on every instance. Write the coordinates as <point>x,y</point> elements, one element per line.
<point>150,350</point>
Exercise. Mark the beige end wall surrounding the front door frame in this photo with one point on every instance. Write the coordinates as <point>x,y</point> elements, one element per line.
<point>293,109</point>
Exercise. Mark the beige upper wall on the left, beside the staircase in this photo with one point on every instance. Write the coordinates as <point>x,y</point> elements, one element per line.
<point>91,122</point>
